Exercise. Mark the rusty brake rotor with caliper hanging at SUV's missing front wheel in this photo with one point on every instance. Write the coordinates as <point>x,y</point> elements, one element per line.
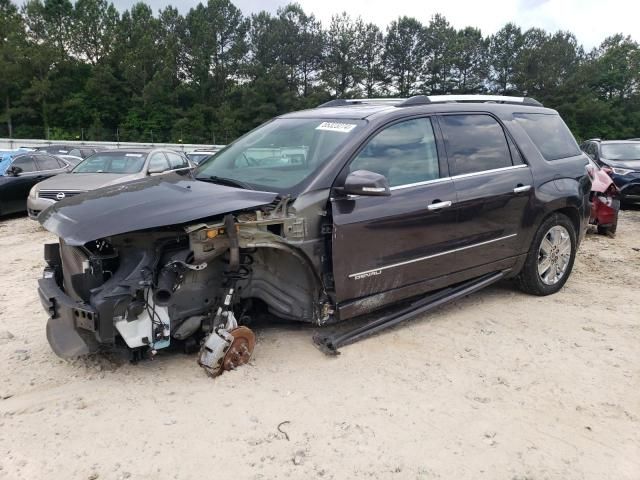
<point>226,350</point>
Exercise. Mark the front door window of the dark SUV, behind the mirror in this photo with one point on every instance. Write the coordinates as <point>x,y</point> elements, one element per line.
<point>405,153</point>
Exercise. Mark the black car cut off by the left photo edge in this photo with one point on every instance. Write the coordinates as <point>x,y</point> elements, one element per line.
<point>21,171</point>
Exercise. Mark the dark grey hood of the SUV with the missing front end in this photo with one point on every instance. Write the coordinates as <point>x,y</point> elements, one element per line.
<point>146,203</point>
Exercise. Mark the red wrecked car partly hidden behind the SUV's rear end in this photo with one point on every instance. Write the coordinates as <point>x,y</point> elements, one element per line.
<point>605,200</point>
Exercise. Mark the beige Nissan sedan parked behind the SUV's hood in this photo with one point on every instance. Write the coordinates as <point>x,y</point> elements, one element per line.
<point>108,167</point>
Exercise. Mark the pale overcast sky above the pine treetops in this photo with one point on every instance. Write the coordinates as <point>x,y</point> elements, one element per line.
<point>590,20</point>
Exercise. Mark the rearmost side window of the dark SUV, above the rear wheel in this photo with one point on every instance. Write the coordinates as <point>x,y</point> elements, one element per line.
<point>549,134</point>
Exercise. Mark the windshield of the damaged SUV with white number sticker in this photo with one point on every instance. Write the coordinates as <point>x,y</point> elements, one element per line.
<point>280,154</point>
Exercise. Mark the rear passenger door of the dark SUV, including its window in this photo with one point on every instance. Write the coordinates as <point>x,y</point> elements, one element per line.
<point>494,187</point>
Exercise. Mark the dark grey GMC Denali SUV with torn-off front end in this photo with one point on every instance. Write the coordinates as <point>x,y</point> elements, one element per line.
<point>375,208</point>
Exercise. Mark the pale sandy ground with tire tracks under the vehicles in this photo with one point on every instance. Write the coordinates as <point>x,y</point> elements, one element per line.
<point>500,385</point>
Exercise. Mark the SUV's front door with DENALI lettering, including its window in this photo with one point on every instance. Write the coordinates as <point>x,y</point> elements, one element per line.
<point>383,243</point>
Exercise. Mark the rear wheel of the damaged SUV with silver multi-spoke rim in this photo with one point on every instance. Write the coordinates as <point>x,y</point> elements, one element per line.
<point>558,234</point>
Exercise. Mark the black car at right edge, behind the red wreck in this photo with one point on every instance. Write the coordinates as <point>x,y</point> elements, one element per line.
<point>621,160</point>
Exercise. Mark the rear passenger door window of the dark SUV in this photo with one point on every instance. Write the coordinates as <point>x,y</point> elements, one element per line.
<point>474,143</point>
